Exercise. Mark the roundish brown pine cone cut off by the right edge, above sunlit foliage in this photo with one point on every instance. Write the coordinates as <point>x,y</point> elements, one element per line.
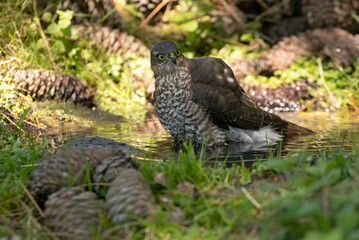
<point>342,53</point>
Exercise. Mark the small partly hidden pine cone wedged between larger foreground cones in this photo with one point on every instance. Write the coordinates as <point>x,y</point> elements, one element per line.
<point>109,168</point>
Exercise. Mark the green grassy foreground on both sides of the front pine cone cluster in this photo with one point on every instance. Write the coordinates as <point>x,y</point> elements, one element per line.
<point>304,196</point>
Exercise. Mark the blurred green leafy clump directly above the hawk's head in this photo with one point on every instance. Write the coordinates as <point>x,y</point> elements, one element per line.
<point>194,25</point>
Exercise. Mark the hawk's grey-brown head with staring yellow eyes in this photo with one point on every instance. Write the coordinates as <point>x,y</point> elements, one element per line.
<point>165,57</point>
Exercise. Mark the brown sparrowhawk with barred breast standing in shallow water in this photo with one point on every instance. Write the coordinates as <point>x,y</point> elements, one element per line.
<point>200,99</point>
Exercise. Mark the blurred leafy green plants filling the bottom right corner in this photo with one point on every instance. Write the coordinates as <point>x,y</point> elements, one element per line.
<point>317,197</point>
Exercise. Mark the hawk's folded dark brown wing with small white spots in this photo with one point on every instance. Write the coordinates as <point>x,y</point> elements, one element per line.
<point>215,87</point>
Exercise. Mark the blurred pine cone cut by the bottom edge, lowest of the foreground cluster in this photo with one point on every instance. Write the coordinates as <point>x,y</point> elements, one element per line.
<point>73,212</point>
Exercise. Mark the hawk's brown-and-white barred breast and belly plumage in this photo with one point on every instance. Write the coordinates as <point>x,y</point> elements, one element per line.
<point>177,112</point>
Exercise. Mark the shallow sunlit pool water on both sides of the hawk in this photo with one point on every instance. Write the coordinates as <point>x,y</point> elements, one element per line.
<point>143,131</point>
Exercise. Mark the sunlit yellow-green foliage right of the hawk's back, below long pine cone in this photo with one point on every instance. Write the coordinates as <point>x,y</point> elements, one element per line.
<point>335,86</point>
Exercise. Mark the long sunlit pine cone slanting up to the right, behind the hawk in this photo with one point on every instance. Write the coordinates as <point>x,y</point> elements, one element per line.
<point>291,49</point>
